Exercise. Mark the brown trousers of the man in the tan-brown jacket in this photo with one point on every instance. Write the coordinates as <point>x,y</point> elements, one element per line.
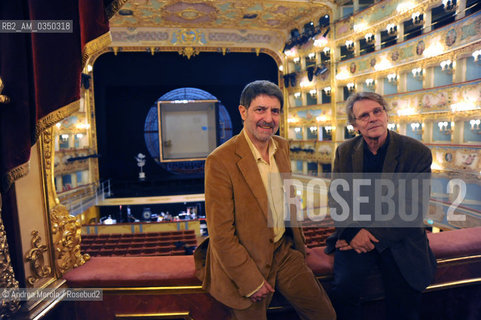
<point>291,277</point>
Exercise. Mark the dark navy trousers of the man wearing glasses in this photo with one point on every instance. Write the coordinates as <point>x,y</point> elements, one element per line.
<point>351,270</point>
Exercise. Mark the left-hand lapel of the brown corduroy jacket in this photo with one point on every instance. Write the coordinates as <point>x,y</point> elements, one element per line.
<point>247,166</point>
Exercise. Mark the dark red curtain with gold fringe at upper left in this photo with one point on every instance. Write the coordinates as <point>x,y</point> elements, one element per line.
<point>41,73</point>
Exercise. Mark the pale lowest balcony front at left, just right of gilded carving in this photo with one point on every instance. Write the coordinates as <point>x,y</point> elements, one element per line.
<point>91,196</point>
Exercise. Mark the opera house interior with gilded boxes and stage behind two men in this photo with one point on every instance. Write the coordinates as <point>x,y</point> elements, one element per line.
<point>108,110</point>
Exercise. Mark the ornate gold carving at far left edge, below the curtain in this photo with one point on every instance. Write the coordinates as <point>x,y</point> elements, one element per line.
<point>7,279</point>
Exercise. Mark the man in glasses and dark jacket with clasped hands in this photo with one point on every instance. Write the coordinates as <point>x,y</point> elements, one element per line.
<point>401,252</point>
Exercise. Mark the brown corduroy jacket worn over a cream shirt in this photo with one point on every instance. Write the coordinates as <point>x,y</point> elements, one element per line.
<point>238,254</point>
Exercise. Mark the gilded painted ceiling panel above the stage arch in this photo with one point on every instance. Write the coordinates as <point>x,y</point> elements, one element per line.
<point>225,14</point>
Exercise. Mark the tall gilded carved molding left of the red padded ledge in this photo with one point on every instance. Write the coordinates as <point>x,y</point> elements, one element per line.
<point>65,229</point>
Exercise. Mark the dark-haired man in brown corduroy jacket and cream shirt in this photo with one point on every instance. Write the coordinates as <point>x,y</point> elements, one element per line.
<point>250,252</point>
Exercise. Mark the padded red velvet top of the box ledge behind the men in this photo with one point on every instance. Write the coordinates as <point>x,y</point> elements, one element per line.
<point>179,270</point>
